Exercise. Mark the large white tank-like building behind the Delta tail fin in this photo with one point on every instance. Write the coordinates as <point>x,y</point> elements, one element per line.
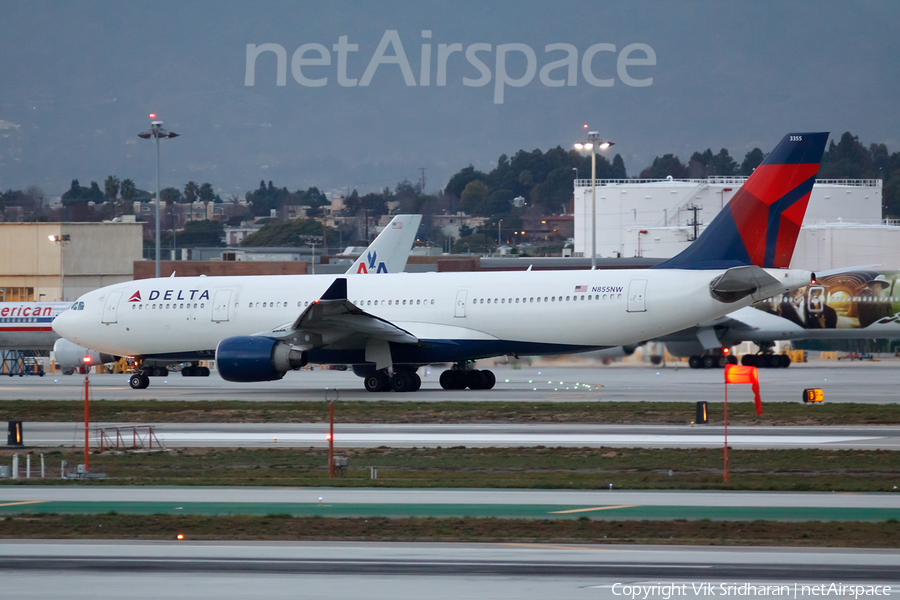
<point>660,218</point>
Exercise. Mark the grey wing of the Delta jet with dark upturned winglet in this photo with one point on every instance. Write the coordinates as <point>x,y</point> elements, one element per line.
<point>333,318</point>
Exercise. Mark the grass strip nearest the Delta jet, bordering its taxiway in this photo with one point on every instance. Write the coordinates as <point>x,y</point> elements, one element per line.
<point>382,411</point>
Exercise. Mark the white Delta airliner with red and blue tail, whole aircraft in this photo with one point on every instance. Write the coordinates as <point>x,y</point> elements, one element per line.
<point>258,328</point>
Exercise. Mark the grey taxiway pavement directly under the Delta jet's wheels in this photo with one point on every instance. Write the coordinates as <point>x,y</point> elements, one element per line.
<point>873,383</point>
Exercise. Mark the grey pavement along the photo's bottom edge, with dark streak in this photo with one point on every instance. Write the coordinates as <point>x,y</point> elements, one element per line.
<point>416,570</point>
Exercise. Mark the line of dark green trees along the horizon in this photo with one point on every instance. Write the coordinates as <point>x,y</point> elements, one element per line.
<point>543,180</point>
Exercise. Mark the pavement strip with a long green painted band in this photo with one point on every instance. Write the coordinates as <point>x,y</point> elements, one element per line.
<point>372,502</point>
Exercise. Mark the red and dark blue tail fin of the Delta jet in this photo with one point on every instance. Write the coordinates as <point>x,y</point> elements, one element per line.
<point>760,224</point>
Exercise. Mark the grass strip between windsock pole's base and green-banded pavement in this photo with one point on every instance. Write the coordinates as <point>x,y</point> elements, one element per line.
<point>529,468</point>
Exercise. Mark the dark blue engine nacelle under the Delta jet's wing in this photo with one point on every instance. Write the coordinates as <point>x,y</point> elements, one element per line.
<point>254,358</point>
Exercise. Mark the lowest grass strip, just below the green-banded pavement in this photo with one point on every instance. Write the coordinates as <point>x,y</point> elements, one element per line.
<point>580,531</point>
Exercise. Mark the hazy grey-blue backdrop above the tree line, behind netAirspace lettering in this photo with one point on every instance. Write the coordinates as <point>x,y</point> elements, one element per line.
<point>78,80</point>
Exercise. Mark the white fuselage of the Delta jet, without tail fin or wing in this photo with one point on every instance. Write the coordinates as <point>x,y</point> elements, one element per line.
<point>547,310</point>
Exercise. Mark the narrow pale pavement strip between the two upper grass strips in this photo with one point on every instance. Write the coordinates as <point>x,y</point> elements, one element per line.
<point>350,435</point>
